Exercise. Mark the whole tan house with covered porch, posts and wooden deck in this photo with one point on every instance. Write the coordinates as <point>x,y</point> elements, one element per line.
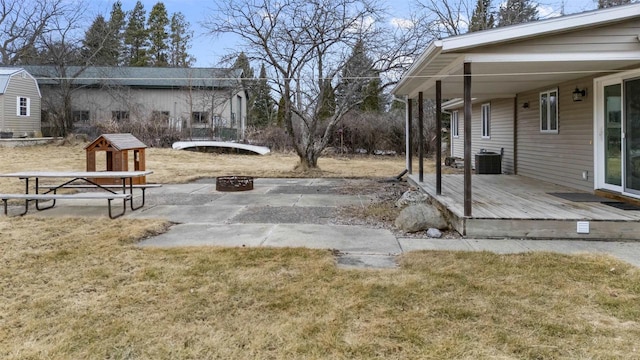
<point>559,101</point>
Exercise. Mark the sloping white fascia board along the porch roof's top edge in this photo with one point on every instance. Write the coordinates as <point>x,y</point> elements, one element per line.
<point>541,27</point>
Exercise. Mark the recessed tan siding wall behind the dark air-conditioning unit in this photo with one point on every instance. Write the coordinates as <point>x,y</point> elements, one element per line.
<point>501,132</point>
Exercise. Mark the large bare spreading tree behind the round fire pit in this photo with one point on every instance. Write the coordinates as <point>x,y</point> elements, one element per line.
<point>306,44</point>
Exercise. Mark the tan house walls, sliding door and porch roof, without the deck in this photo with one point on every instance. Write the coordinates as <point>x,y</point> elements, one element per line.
<point>560,98</point>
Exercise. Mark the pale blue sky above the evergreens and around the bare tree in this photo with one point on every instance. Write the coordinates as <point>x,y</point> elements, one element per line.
<point>209,51</point>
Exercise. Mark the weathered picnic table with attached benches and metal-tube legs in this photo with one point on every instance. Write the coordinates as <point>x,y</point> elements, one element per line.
<point>122,189</point>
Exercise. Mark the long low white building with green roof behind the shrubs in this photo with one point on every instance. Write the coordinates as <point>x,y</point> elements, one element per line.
<point>203,102</point>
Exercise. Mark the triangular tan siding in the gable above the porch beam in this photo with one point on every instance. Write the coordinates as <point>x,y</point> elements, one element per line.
<point>616,37</point>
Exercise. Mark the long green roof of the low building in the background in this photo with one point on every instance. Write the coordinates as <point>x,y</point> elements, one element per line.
<point>142,77</point>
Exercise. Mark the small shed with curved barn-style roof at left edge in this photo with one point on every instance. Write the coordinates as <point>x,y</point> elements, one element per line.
<point>19,104</point>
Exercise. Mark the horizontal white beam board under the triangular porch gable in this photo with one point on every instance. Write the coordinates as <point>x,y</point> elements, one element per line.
<point>553,57</point>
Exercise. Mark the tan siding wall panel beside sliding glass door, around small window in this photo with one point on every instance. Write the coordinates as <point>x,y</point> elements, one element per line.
<point>558,158</point>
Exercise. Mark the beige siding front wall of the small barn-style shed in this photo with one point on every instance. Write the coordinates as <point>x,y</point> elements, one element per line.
<point>21,125</point>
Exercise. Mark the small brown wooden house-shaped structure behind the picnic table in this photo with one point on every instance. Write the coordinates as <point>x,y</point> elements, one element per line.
<point>123,152</point>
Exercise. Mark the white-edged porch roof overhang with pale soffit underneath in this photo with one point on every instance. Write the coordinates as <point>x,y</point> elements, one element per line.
<point>505,73</point>
